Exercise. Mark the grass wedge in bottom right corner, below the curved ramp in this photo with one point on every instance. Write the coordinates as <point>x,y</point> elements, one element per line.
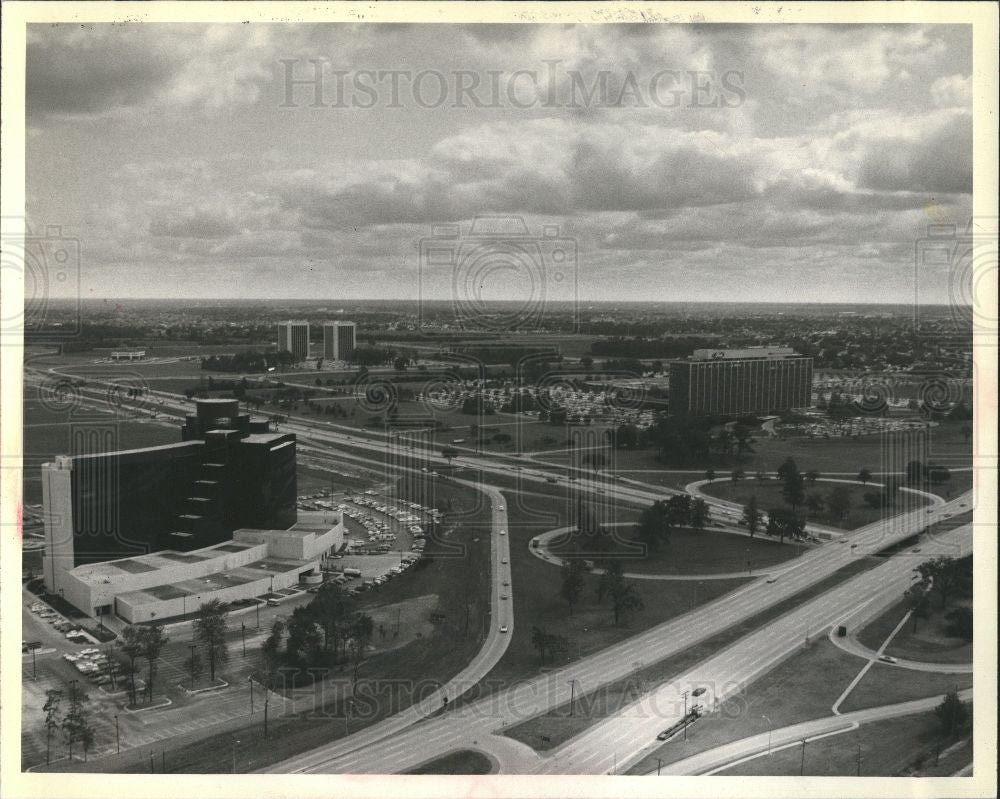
<point>897,747</point>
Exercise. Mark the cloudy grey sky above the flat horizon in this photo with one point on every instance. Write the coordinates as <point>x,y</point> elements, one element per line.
<point>725,163</point>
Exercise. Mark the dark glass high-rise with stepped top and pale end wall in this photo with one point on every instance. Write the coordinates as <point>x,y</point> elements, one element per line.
<point>228,472</point>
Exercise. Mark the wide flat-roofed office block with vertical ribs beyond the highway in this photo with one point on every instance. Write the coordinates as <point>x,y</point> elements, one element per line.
<point>754,380</point>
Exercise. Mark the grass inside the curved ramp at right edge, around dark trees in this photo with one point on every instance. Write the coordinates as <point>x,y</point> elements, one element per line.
<point>929,643</point>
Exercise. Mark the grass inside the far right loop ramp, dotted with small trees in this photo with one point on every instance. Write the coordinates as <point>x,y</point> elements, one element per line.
<point>768,495</point>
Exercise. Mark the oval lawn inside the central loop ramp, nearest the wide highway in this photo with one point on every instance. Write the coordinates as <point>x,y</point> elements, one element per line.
<point>700,552</point>
